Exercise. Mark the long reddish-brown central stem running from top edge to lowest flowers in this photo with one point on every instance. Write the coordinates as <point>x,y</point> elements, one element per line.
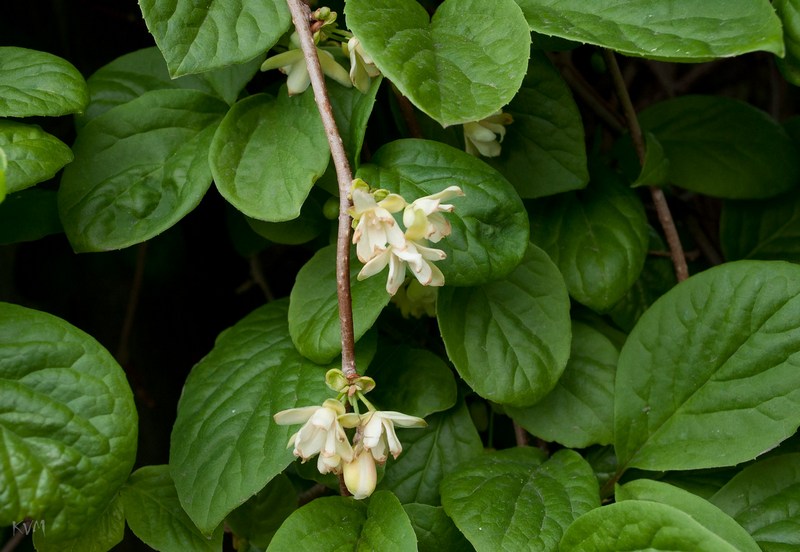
<point>301,16</point>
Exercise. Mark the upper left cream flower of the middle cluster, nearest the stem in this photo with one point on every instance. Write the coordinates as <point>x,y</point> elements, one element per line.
<point>375,225</point>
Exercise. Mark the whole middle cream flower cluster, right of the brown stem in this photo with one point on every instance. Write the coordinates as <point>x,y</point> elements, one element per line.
<point>380,241</point>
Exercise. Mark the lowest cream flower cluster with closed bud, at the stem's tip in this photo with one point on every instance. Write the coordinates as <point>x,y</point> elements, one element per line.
<point>323,433</point>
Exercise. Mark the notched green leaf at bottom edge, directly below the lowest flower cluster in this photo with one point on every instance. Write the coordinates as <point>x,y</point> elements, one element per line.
<point>337,523</point>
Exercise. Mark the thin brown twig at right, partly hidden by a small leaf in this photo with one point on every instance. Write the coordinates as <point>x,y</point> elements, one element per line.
<point>660,202</point>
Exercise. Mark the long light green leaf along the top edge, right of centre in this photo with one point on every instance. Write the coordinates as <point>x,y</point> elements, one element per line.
<point>673,30</point>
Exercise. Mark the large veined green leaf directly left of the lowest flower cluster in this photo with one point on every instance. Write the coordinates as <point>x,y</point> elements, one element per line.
<point>225,446</point>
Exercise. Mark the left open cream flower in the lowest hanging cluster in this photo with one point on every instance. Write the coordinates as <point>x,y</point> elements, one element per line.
<point>322,434</point>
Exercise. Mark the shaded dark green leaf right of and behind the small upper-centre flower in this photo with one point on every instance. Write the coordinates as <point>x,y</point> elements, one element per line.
<point>543,151</point>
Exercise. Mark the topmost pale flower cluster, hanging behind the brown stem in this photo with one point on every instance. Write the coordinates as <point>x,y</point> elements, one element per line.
<point>329,40</point>
